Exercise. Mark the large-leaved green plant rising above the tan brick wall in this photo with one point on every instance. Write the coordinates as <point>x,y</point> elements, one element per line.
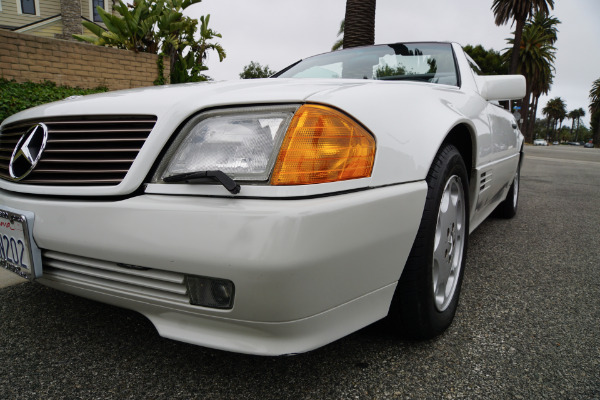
<point>159,26</point>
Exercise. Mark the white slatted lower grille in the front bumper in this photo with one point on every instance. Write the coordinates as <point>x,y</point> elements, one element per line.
<point>157,284</point>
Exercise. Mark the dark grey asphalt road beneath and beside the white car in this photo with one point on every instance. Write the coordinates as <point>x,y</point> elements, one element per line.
<point>528,324</point>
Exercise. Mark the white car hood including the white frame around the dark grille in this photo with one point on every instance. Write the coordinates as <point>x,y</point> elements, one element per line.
<point>173,105</point>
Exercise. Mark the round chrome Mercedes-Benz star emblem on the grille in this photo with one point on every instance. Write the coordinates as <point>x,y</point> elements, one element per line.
<point>28,152</point>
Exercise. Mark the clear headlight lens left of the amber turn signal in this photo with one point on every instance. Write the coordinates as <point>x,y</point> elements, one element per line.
<point>242,143</point>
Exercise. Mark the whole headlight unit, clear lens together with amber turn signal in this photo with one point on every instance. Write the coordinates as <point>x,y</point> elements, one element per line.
<point>298,145</point>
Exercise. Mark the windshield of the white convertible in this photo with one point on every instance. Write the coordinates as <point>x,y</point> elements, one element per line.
<point>426,62</point>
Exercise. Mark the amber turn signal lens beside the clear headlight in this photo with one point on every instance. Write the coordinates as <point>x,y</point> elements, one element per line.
<point>323,145</point>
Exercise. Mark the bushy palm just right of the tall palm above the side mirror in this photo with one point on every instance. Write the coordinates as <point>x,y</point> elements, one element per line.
<point>535,62</point>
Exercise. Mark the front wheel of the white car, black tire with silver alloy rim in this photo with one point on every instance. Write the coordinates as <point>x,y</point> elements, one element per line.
<point>421,309</point>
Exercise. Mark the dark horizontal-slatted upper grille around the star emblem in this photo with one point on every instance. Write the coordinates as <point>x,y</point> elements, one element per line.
<point>84,151</point>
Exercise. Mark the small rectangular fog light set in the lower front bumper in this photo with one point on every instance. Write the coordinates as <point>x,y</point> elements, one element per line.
<point>210,292</point>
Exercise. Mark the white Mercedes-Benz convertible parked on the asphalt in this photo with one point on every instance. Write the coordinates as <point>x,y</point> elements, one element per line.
<point>268,216</point>
